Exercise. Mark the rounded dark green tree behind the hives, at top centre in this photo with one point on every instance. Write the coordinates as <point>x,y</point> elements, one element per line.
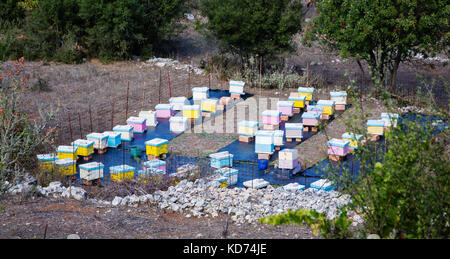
<point>253,27</point>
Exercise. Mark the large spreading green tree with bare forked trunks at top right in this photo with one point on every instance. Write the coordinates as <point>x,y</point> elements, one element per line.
<point>384,33</point>
